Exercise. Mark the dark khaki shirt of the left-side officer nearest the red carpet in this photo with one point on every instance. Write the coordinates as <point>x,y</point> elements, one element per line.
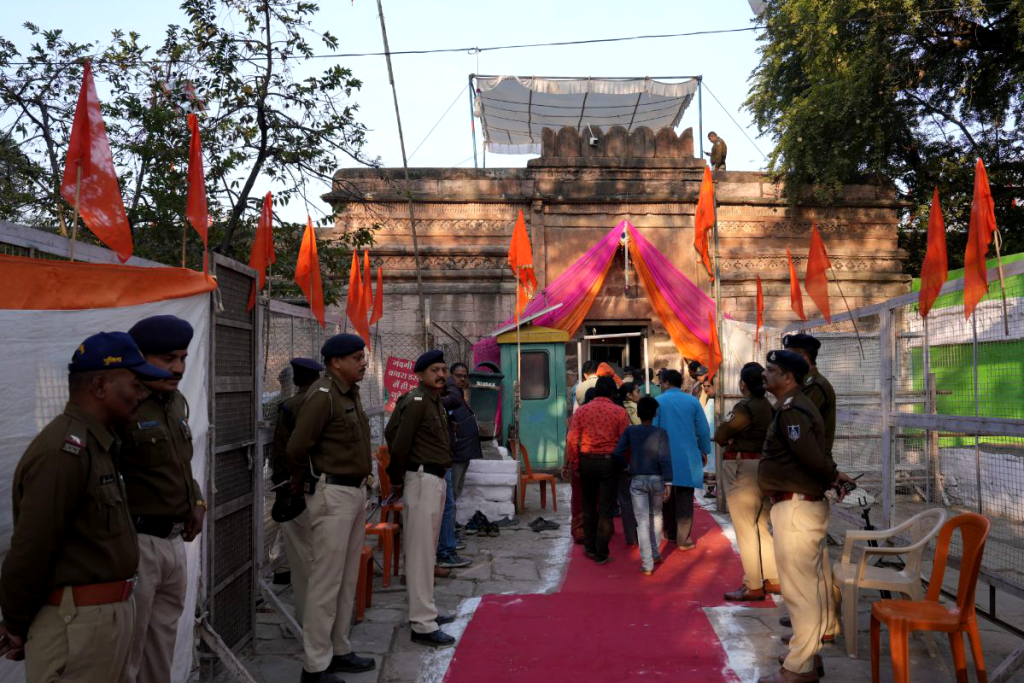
<point>419,436</point>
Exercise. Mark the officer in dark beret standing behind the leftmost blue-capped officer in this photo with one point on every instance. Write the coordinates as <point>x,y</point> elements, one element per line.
<point>165,501</point>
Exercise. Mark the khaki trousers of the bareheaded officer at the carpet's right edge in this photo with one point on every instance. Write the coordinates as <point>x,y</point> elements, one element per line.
<point>750,510</point>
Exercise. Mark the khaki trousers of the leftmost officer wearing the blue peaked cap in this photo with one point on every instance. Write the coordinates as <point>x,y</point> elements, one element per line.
<point>80,645</point>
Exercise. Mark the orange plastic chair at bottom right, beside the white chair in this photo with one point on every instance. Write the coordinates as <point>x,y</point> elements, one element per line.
<point>903,617</point>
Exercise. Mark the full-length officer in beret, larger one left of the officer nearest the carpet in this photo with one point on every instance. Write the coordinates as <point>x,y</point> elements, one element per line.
<point>329,453</point>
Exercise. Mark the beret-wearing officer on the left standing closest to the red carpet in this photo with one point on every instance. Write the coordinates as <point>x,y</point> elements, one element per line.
<point>418,440</point>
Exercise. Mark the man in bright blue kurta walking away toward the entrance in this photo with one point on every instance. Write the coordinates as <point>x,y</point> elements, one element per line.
<point>690,441</point>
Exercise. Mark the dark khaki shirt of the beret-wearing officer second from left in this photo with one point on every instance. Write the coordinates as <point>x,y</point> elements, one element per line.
<point>156,459</point>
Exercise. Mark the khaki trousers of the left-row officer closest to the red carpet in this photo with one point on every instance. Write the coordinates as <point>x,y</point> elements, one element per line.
<point>421,520</point>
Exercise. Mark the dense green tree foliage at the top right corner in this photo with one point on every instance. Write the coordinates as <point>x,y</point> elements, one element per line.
<point>912,92</point>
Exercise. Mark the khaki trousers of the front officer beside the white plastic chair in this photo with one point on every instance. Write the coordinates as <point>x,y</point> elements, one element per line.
<point>803,572</point>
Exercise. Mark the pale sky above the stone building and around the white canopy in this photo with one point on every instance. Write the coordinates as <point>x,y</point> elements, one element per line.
<point>429,86</point>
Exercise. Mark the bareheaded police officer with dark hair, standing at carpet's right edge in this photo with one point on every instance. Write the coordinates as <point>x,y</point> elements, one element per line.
<point>743,435</point>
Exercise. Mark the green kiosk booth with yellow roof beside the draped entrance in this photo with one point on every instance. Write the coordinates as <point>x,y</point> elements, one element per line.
<point>544,411</point>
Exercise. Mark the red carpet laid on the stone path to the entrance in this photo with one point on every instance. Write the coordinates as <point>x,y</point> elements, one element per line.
<point>610,623</point>
